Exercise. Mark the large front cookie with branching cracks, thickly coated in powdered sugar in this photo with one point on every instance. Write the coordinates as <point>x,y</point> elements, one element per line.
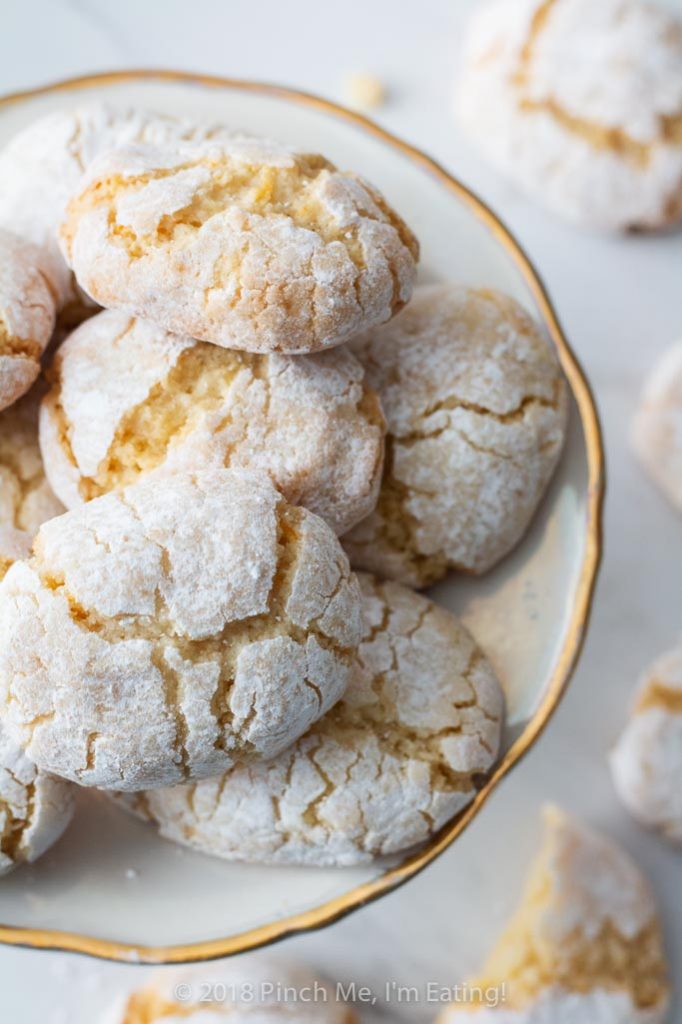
<point>173,629</point>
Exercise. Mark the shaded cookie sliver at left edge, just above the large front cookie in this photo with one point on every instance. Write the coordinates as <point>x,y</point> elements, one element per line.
<point>26,499</point>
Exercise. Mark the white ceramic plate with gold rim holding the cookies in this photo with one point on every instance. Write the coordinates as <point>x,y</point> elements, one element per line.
<point>112,888</point>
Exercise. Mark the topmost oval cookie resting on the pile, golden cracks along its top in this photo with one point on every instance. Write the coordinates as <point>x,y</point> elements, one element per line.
<point>245,244</point>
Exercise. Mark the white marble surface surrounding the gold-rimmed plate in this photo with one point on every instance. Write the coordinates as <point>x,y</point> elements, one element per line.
<point>621,303</point>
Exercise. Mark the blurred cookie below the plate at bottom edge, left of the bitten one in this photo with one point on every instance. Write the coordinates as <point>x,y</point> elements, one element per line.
<point>244,992</point>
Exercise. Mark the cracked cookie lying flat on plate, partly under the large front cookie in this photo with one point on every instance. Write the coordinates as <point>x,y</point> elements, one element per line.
<point>395,760</point>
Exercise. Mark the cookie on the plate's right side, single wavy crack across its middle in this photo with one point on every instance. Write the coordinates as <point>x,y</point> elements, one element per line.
<point>477,411</point>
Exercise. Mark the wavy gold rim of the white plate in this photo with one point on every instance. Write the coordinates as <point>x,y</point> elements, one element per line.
<point>361,897</point>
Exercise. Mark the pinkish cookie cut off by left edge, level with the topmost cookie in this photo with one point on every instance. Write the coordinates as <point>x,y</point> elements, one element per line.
<point>27,317</point>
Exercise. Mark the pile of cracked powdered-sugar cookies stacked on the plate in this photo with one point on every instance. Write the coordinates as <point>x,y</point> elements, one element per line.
<point>242,417</point>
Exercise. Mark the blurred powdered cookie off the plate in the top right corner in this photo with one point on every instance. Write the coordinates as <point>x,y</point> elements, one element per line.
<point>581,105</point>
